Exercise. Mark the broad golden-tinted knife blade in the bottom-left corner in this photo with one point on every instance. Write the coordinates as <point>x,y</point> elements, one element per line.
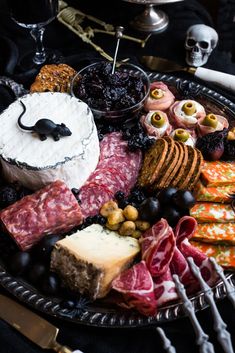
<point>31,325</point>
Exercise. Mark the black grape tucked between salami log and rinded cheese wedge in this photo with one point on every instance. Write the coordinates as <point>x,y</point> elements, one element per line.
<point>45,246</point>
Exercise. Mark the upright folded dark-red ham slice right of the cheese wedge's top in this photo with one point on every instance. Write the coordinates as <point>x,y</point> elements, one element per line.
<point>158,245</point>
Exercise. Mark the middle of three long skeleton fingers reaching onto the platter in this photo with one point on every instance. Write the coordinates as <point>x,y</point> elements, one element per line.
<point>223,335</point>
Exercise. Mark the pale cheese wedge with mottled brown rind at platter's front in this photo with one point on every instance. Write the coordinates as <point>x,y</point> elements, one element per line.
<point>89,260</point>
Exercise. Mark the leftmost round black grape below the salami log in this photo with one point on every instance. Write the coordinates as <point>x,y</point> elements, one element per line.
<point>19,262</point>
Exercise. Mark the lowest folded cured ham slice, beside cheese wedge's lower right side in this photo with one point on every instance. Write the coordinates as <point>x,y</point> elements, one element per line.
<point>136,286</point>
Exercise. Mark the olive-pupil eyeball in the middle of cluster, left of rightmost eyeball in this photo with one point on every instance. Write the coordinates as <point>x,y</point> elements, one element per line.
<point>185,114</point>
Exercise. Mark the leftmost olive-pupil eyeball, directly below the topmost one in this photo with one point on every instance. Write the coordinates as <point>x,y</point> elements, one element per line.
<point>156,124</point>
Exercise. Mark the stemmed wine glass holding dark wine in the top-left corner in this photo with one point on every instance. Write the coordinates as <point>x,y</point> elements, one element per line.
<point>35,15</point>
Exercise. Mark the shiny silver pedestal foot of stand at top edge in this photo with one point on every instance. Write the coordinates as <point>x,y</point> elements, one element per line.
<point>151,20</point>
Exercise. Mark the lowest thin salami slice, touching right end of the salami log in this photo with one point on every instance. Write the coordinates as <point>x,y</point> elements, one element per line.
<point>93,196</point>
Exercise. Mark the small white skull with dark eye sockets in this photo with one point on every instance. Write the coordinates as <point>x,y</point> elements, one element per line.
<point>199,43</point>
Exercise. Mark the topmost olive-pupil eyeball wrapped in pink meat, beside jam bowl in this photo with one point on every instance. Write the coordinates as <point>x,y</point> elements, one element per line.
<point>160,97</point>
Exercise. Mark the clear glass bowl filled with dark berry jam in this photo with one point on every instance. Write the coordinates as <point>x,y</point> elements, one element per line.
<point>118,114</point>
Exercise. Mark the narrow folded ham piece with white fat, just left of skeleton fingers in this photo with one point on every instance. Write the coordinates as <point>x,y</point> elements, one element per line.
<point>164,288</point>
